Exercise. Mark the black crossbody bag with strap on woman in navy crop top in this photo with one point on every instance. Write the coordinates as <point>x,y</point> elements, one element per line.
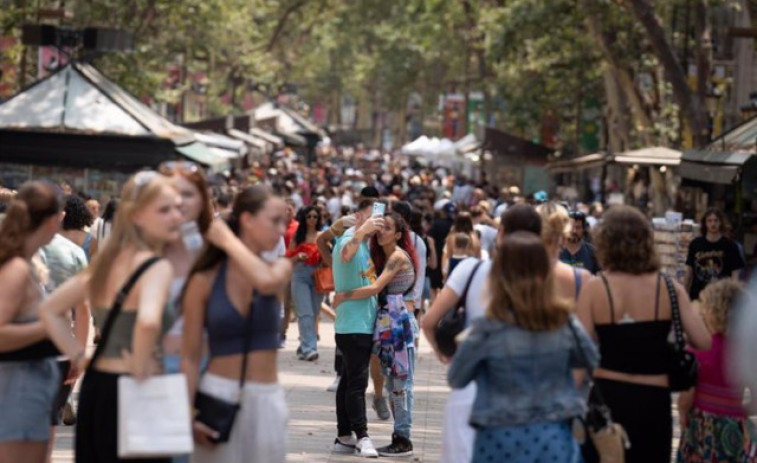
<point>219,414</point>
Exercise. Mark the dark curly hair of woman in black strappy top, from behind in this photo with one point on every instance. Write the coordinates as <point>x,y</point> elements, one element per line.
<point>624,242</point>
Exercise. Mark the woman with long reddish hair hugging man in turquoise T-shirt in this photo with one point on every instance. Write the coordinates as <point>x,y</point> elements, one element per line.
<point>394,338</point>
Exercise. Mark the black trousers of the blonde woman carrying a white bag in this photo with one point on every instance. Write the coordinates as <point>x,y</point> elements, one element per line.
<point>97,421</point>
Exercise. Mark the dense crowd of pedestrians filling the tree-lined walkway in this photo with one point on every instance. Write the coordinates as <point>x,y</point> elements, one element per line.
<point>190,274</point>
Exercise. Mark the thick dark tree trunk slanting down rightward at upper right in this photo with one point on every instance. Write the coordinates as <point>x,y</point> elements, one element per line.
<point>691,106</point>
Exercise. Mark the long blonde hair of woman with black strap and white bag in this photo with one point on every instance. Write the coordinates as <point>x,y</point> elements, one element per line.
<point>141,189</point>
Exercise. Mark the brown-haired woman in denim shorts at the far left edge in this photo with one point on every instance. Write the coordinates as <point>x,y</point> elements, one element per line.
<point>29,376</point>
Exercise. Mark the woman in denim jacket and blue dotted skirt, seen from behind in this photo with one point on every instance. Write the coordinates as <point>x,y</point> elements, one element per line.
<point>521,354</point>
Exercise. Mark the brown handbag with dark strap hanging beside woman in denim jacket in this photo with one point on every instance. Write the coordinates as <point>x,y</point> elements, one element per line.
<point>607,439</point>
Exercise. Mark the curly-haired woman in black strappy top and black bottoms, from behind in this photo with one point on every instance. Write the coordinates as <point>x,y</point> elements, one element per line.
<point>628,311</point>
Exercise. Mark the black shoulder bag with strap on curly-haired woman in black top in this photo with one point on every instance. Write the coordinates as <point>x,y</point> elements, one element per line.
<point>683,367</point>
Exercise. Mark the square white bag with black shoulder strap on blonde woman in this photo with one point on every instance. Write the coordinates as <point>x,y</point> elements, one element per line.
<point>153,415</point>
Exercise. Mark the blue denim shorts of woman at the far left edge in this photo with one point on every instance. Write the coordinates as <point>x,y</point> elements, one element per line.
<point>27,392</point>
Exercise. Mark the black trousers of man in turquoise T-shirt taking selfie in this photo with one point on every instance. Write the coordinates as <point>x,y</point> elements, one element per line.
<point>350,396</point>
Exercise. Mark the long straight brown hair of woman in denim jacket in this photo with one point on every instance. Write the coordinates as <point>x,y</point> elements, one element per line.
<point>522,285</point>
